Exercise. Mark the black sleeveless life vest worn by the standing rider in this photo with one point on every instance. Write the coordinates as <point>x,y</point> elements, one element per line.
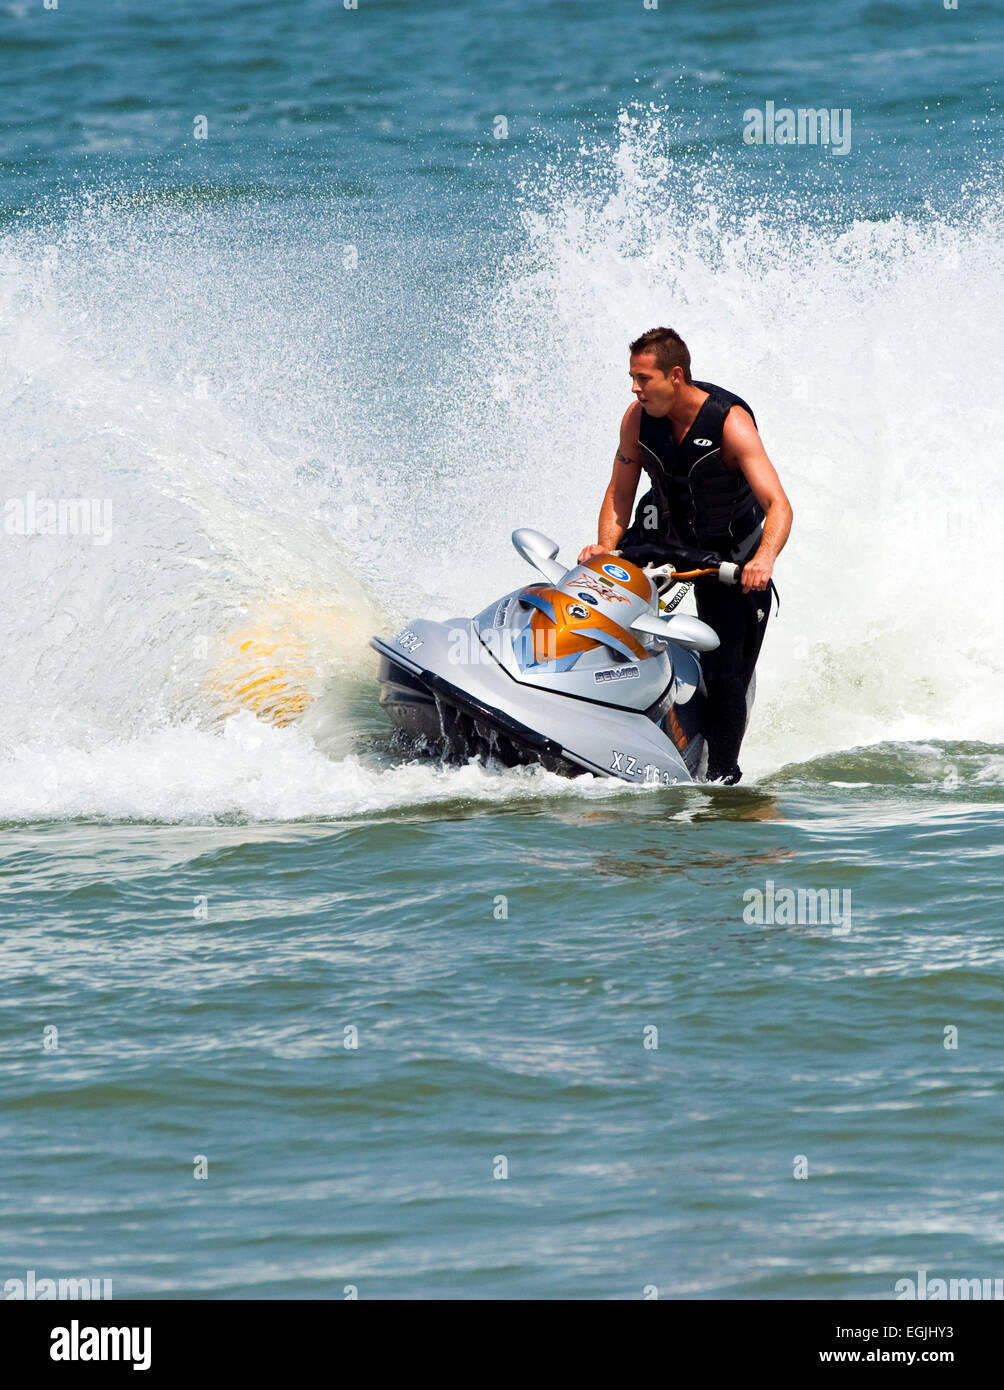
<point>700,501</point>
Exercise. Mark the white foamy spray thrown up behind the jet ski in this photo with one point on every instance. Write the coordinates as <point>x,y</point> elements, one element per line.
<point>226,397</point>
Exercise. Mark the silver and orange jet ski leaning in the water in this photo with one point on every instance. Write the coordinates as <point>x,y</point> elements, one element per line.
<point>586,671</point>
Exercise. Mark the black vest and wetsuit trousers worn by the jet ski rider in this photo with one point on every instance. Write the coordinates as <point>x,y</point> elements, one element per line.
<point>699,514</point>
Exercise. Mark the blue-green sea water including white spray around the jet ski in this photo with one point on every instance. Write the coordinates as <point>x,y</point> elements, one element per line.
<point>468,1032</point>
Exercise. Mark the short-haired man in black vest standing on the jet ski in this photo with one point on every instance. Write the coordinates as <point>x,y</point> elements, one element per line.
<point>715,497</point>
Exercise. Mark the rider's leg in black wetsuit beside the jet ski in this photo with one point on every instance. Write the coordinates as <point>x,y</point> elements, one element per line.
<point>740,622</point>
